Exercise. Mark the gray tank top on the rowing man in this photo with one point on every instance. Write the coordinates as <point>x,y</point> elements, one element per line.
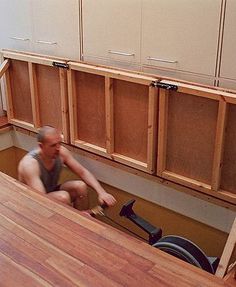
<point>49,178</point>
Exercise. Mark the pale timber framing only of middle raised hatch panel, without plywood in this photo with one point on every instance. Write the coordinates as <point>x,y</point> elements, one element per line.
<point>108,77</point>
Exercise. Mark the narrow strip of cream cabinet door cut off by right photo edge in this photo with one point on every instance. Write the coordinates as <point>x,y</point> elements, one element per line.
<point>228,59</point>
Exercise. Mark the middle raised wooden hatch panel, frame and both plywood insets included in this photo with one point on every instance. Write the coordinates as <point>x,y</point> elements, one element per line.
<point>113,114</point>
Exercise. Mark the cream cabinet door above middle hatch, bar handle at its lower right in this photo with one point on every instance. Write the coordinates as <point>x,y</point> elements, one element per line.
<point>111,29</point>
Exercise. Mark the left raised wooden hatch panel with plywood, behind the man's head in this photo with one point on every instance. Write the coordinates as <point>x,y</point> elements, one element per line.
<point>36,92</point>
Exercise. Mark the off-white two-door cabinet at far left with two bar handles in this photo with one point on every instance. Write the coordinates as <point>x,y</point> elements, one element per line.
<point>49,27</point>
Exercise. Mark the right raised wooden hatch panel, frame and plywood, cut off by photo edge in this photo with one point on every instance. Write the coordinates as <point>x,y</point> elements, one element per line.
<point>192,139</point>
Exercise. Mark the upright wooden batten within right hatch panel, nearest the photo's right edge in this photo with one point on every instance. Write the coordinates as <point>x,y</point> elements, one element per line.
<point>219,145</point>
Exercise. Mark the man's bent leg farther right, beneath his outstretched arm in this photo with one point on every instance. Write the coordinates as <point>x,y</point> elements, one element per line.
<point>78,193</point>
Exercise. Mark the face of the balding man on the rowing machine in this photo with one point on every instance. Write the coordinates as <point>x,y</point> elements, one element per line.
<point>51,145</point>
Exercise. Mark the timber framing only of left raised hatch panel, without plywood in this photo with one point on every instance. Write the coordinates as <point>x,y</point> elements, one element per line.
<point>31,62</point>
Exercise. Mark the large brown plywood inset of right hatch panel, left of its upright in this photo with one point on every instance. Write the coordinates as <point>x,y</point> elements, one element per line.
<point>191,128</point>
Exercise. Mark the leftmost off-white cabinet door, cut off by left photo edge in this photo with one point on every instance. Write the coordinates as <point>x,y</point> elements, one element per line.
<point>15,23</point>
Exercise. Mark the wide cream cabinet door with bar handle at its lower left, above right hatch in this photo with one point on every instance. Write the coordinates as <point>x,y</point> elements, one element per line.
<point>181,34</point>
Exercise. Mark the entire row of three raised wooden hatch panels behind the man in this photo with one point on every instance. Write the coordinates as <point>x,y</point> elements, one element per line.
<point>186,135</point>
